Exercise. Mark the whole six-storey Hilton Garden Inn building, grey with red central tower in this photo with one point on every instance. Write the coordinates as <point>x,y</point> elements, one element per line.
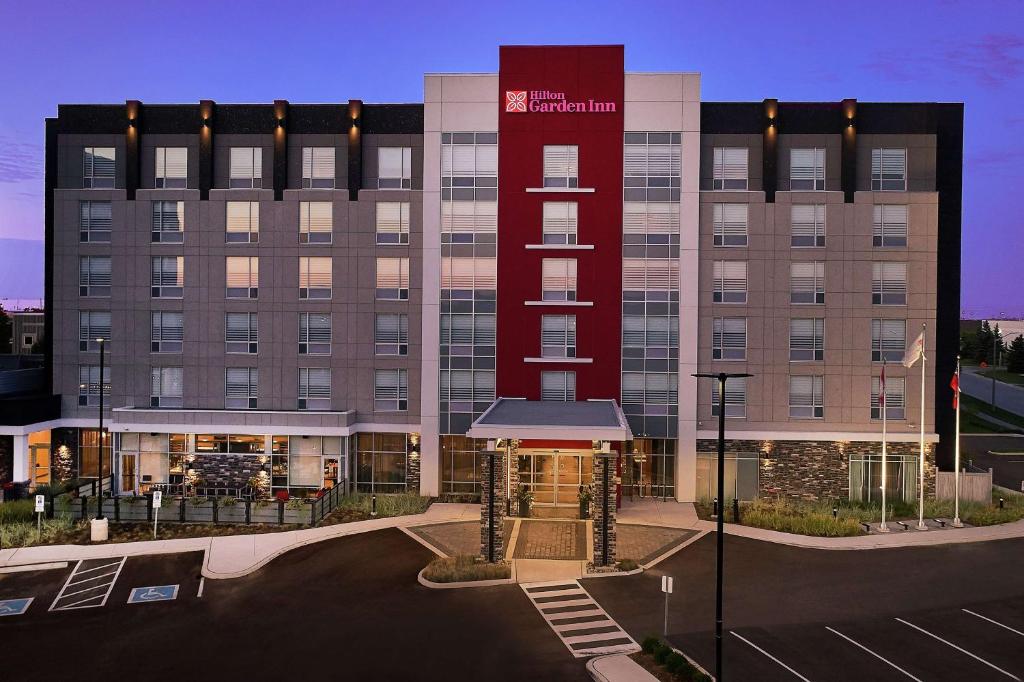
<point>294,296</point>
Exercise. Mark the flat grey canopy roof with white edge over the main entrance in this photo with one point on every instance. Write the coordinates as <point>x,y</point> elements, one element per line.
<point>583,420</point>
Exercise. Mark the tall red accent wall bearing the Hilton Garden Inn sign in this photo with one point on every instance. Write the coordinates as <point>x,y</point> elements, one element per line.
<point>583,73</point>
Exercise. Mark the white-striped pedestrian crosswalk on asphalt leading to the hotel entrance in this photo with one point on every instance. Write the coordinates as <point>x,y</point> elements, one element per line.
<point>584,627</point>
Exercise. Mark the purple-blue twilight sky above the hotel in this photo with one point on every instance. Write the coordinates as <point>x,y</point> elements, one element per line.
<point>314,52</point>
